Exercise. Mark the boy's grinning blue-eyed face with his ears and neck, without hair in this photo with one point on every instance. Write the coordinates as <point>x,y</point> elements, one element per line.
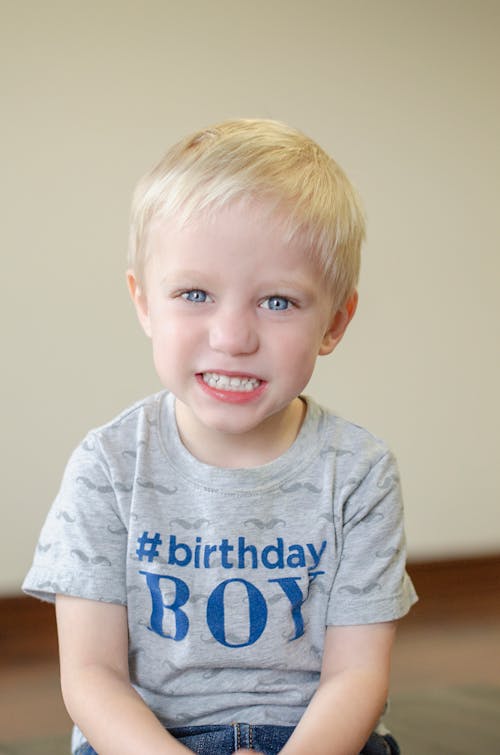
<point>237,318</point>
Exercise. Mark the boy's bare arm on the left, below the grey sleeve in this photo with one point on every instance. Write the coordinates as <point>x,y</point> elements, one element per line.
<point>93,647</point>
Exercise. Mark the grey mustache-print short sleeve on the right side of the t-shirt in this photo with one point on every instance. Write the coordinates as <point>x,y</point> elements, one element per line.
<point>371,583</point>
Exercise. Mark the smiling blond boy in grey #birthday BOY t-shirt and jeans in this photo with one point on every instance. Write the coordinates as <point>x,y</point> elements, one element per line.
<point>227,557</point>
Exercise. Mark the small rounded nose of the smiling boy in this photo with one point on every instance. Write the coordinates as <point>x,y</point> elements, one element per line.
<point>233,331</point>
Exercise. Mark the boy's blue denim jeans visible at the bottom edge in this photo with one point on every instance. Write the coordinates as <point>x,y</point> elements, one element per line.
<point>269,740</point>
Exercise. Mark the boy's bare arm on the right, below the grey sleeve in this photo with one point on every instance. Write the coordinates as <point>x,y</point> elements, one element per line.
<point>351,694</point>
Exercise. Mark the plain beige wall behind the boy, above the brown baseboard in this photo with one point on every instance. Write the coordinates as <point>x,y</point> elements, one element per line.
<point>404,95</point>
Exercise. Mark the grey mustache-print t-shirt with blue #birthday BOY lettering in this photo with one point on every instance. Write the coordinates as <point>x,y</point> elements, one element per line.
<point>230,576</point>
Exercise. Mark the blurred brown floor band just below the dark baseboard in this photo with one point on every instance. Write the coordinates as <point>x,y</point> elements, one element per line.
<point>426,659</point>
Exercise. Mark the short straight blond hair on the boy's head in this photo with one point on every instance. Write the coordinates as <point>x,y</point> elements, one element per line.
<point>264,161</point>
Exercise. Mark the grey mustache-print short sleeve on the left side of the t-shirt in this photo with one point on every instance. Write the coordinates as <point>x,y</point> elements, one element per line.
<point>82,546</point>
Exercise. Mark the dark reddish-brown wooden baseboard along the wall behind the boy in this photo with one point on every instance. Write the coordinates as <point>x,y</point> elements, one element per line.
<point>450,590</point>
